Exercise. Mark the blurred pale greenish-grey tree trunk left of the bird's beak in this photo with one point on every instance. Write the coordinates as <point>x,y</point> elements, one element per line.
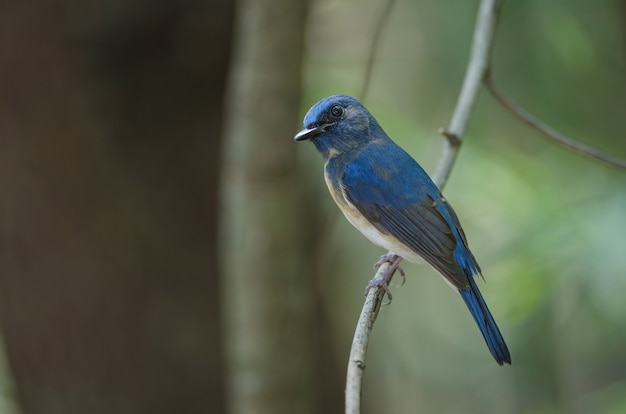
<point>273,338</point>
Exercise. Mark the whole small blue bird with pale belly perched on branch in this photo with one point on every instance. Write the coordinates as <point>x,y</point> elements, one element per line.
<point>392,201</point>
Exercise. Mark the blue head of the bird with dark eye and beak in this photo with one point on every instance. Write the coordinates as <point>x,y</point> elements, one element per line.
<point>339,124</point>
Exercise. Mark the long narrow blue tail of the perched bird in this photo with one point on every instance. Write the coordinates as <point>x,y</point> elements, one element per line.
<point>478,308</point>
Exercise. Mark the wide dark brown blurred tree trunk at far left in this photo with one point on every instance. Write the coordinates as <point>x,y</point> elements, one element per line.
<point>110,121</point>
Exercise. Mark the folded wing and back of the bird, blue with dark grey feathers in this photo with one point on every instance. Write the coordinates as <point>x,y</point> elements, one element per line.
<point>396,195</point>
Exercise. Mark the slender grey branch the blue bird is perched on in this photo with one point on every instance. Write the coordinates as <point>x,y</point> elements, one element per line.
<point>477,68</point>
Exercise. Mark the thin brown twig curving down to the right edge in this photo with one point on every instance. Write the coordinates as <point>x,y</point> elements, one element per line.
<point>550,133</point>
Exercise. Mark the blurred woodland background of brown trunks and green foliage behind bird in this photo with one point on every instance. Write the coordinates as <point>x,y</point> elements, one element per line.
<point>165,246</point>
